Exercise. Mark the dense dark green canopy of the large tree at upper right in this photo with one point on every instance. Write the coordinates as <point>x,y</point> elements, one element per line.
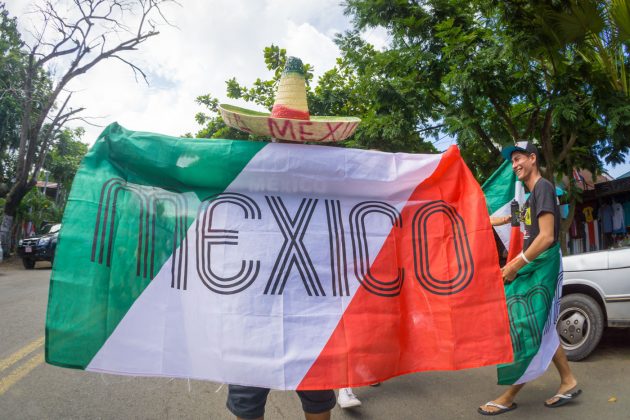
<point>494,72</point>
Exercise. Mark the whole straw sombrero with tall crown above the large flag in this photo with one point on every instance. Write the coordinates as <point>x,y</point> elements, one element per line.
<point>289,118</point>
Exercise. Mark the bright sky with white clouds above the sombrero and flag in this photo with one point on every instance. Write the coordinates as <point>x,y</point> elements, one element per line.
<point>212,41</point>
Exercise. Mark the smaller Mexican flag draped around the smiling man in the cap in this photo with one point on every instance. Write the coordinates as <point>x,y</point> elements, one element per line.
<point>533,298</point>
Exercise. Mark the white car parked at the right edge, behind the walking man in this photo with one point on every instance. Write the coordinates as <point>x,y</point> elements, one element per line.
<point>596,294</point>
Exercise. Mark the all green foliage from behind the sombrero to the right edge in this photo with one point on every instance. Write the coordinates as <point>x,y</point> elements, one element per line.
<point>486,73</point>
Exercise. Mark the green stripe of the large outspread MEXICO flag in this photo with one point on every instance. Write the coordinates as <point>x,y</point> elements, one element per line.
<point>87,299</point>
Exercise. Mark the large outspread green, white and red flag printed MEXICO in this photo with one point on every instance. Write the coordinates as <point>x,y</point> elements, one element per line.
<point>275,265</point>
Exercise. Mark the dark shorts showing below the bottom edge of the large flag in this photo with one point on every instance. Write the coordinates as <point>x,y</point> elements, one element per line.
<point>248,402</point>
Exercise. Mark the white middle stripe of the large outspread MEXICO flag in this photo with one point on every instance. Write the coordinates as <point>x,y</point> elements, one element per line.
<point>253,338</point>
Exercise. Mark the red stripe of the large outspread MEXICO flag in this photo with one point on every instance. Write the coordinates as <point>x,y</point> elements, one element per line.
<point>381,337</point>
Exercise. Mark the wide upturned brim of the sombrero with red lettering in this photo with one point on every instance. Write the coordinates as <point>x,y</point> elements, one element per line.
<point>317,129</point>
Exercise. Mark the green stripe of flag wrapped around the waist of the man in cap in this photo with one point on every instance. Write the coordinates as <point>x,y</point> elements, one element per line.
<point>529,300</point>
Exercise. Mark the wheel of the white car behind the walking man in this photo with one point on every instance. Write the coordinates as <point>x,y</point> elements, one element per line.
<point>580,325</point>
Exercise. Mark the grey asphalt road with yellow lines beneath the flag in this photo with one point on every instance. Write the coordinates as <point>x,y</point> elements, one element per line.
<point>30,389</point>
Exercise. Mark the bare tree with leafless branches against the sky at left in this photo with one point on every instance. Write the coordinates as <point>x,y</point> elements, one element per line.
<point>68,44</point>
